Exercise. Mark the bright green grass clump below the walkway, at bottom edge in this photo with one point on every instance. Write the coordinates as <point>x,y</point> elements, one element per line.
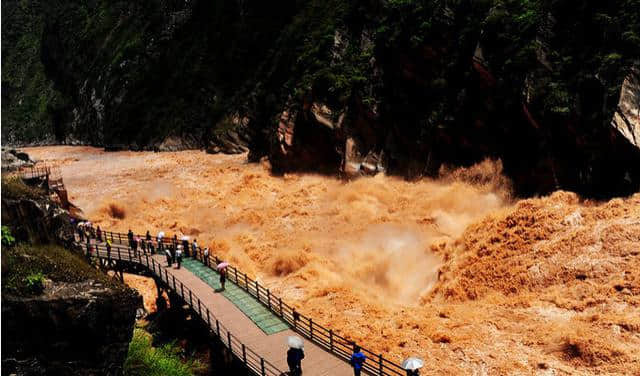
<point>145,360</point>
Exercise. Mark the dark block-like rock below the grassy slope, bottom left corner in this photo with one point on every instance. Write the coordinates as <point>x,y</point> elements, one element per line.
<point>71,329</point>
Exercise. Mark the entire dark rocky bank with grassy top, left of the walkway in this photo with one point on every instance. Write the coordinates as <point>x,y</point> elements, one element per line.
<point>60,316</point>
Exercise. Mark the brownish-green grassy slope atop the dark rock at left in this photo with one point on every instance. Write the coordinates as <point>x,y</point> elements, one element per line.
<point>28,265</point>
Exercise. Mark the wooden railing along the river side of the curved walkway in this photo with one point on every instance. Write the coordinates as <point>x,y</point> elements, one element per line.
<point>326,338</point>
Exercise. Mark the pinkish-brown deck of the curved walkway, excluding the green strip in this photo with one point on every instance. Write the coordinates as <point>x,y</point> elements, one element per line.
<point>273,347</point>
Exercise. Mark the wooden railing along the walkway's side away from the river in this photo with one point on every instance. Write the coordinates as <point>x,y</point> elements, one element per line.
<point>252,360</point>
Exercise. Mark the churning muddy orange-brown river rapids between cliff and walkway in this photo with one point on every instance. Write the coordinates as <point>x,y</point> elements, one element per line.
<point>452,270</point>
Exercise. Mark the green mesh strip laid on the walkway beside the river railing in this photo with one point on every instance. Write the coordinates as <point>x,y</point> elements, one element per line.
<point>259,314</point>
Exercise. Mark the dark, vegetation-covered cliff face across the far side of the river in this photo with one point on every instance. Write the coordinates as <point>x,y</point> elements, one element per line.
<point>341,86</point>
